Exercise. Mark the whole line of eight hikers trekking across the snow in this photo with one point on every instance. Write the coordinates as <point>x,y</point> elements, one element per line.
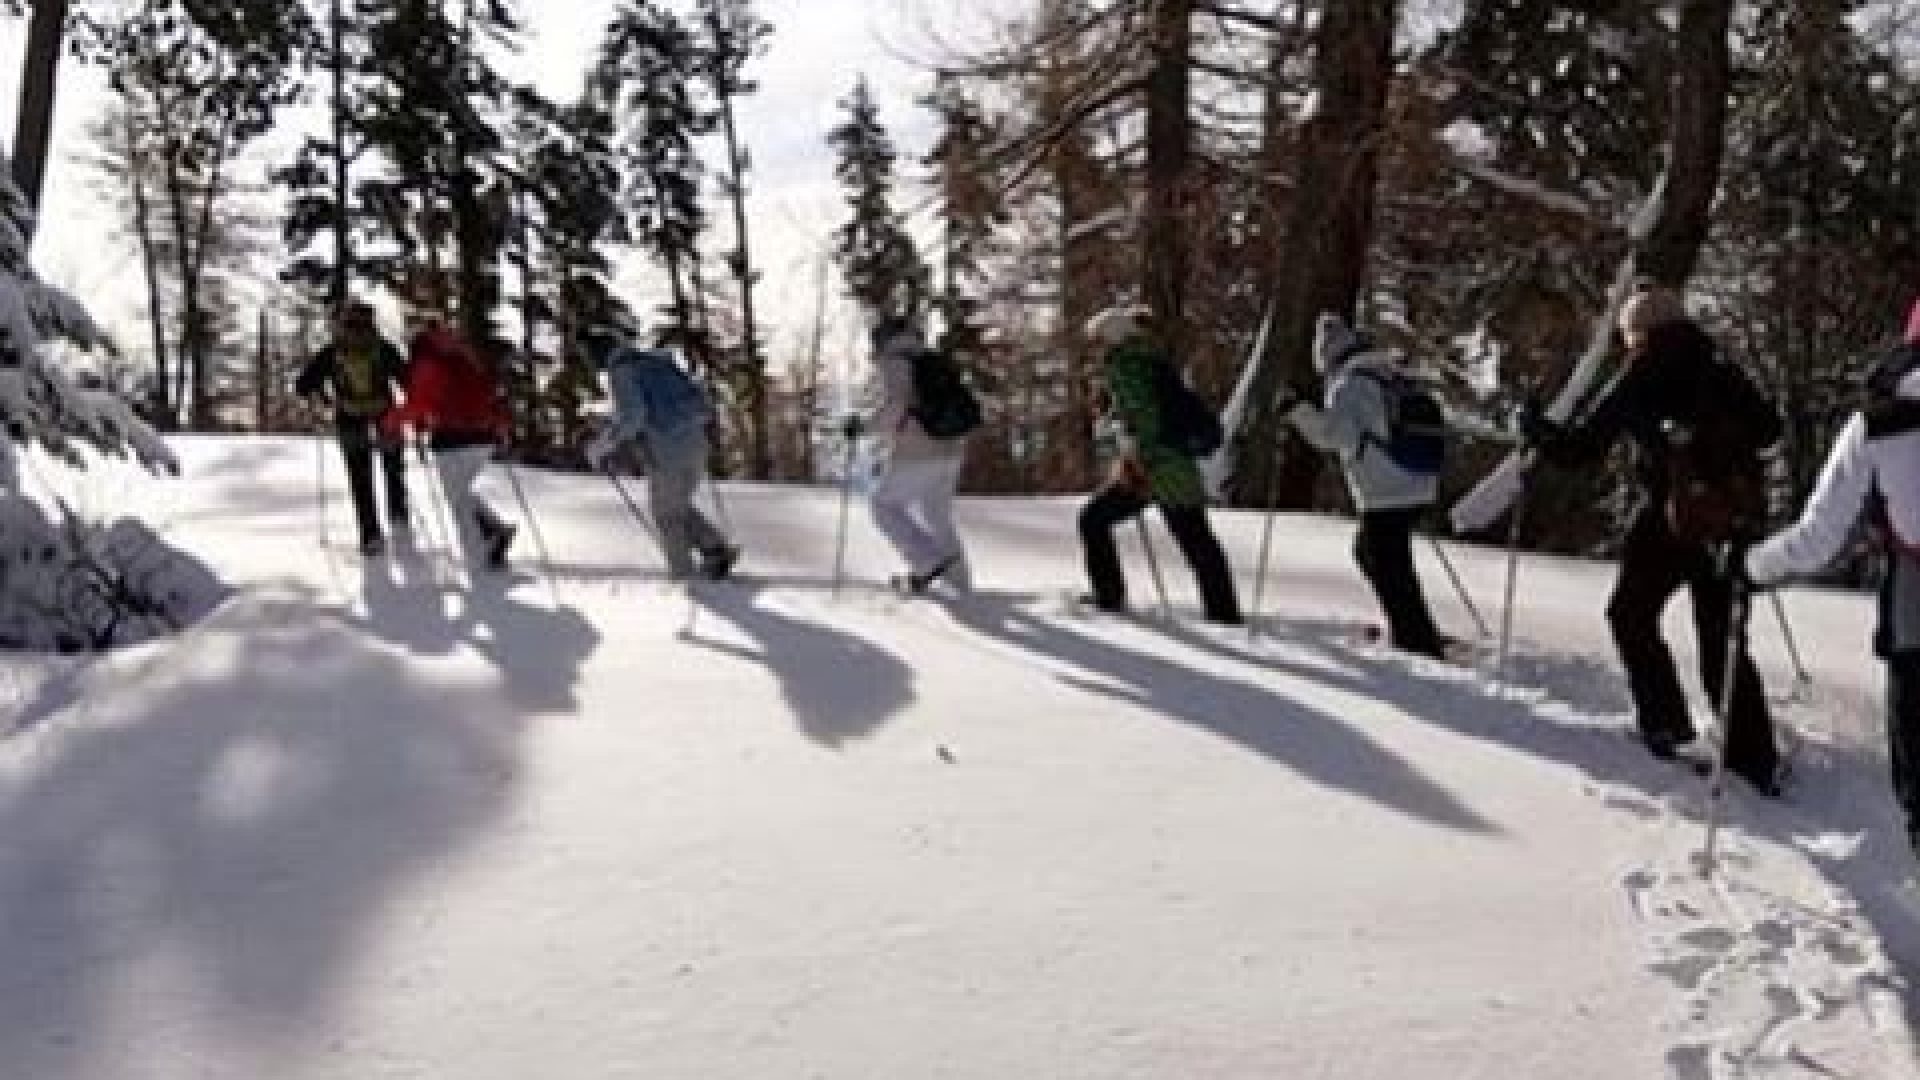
<point>1698,426</point>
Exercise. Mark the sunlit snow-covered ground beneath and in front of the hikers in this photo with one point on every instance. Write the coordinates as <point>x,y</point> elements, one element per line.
<point>372,823</point>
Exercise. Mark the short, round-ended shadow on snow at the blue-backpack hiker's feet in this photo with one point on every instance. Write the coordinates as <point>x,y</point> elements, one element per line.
<point>836,685</point>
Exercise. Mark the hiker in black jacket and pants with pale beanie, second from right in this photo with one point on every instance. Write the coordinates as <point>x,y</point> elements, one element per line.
<point>1675,401</point>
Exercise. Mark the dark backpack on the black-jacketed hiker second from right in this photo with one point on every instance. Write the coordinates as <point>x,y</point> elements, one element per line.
<point>1716,478</point>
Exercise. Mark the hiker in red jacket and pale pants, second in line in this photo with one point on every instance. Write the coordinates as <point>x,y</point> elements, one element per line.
<point>454,403</point>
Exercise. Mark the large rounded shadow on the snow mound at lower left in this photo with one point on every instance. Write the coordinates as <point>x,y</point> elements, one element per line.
<point>233,818</point>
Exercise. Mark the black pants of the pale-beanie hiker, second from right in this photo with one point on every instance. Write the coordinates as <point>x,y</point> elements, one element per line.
<point>1654,566</point>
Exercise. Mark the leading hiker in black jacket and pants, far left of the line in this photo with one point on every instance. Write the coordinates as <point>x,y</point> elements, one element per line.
<point>362,372</point>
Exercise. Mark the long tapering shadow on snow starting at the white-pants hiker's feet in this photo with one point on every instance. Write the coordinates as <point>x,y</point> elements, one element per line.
<point>1314,743</point>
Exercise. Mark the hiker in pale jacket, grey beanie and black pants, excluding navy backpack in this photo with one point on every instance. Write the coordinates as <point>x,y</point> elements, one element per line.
<point>1389,497</point>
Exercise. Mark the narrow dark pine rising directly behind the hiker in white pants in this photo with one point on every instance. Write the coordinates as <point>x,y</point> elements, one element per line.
<point>878,258</point>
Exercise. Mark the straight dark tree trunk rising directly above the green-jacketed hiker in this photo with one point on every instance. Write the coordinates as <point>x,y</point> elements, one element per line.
<point>1168,159</point>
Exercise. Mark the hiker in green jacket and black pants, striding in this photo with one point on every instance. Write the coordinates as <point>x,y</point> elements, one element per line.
<point>1149,474</point>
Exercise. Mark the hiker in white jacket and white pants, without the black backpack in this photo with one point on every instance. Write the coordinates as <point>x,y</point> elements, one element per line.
<point>915,499</point>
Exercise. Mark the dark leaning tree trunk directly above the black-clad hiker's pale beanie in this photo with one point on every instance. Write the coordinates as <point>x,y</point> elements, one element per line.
<point>1694,145</point>
